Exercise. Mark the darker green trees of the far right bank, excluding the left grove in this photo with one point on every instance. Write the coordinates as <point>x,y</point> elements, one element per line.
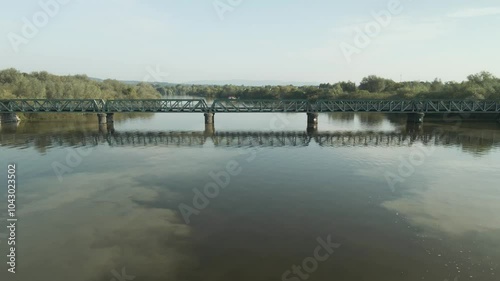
<point>477,86</point>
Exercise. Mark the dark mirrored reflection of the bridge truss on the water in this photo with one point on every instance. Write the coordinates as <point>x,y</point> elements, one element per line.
<point>246,139</point>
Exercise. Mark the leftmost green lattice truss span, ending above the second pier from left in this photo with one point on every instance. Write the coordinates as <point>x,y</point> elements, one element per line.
<point>41,105</point>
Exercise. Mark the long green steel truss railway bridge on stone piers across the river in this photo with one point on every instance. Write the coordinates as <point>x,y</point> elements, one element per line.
<point>415,109</point>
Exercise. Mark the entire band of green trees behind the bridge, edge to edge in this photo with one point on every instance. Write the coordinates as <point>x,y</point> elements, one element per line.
<point>42,85</point>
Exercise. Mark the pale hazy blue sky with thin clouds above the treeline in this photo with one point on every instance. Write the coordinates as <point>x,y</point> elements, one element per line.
<point>287,40</point>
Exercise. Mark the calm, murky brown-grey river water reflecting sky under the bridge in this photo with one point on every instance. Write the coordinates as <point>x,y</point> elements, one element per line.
<point>401,203</point>
